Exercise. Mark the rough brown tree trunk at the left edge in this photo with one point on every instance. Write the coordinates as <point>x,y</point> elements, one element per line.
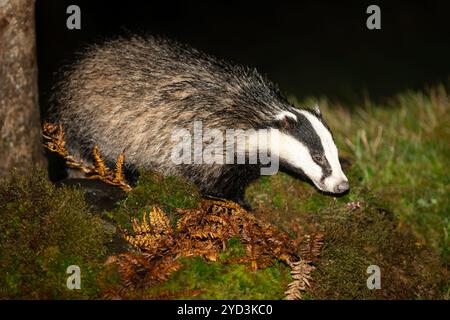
<point>20,127</point>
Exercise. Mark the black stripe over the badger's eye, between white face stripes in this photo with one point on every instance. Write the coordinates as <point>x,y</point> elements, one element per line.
<point>303,131</point>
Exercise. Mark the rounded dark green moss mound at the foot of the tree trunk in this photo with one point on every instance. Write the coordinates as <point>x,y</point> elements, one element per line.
<point>43,230</point>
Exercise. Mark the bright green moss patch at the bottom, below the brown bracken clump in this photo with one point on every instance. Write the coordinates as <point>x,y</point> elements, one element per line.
<point>224,279</point>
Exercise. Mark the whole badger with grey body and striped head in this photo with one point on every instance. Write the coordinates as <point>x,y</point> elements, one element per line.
<point>131,94</point>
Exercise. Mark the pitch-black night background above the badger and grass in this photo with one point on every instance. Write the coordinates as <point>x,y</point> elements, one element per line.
<point>307,47</point>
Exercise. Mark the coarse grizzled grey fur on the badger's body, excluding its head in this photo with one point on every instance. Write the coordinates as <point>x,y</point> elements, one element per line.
<point>129,94</point>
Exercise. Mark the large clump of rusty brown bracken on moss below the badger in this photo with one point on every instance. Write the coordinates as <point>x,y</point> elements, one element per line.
<point>205,231</point>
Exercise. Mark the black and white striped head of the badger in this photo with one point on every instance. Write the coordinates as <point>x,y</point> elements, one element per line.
<point>306,146</point>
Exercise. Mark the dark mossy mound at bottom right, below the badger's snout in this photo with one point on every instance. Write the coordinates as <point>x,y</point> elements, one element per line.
<point>371,236</point>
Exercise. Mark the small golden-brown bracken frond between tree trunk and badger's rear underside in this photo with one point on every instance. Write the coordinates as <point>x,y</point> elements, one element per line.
<point>54,141</point>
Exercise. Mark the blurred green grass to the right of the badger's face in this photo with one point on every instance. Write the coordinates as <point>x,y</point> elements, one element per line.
<point>400,152</point>
